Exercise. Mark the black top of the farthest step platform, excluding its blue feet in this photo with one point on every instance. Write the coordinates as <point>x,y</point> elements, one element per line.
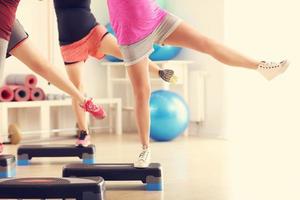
<point>55,150</point>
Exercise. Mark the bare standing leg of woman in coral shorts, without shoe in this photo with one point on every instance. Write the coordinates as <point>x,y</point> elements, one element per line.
<point>75,74</point>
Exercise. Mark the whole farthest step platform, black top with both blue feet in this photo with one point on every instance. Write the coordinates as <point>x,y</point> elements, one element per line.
<point>27,152</point>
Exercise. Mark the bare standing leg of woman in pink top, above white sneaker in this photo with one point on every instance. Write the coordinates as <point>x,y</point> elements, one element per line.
<point>139,76</point>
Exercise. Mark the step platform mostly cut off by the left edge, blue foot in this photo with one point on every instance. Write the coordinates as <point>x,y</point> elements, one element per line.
<point>7,166</point>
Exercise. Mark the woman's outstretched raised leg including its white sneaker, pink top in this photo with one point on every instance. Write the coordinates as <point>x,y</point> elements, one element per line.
<point>187,36</point>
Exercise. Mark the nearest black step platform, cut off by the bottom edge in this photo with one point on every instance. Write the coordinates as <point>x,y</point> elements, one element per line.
<point>50,188</point>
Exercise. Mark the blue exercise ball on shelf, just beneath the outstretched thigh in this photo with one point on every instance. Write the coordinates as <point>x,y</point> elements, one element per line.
<point>166,52</point>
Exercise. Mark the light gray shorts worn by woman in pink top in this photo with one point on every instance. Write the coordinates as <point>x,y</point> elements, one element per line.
<point>134,53</point>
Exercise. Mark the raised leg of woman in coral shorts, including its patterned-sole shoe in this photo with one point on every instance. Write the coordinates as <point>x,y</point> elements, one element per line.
<point>109,46</point>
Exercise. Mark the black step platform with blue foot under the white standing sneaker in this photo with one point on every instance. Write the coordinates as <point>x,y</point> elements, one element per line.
<point>151,176</point>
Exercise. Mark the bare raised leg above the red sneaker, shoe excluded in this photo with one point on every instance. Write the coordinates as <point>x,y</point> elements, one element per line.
<point>30,57</point>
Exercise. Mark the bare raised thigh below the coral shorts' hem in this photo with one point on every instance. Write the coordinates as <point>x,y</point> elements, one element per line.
<point>109,46</point>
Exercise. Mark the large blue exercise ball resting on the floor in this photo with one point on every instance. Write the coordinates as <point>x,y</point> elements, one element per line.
<point>169,115</point>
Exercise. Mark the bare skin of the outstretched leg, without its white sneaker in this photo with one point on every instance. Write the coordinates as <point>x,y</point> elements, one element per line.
<point>189,37</point>
